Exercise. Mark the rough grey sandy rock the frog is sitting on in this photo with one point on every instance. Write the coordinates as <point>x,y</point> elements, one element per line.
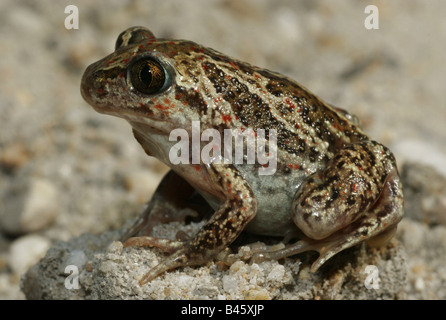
<point>113,272</point>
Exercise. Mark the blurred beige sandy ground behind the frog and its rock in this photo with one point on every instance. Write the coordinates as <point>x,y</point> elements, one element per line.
<point>66,170</point>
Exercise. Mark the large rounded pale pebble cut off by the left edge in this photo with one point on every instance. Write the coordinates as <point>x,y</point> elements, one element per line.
<point>32,205</point>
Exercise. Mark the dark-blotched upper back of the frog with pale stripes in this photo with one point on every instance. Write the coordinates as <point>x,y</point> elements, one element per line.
<point>256,98</point>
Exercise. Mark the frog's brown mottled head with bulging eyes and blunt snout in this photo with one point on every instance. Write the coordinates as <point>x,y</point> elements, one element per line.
<point>156,83</point>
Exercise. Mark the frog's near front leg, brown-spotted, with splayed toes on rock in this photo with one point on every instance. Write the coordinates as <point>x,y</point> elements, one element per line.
<point>238,208</point>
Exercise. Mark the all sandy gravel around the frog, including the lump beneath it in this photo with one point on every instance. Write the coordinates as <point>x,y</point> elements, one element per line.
<point>72,179</point>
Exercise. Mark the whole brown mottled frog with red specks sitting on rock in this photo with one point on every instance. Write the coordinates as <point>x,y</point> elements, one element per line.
<point>332,188</point>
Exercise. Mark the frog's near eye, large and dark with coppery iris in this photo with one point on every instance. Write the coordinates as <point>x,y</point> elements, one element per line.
<point>148,76</point>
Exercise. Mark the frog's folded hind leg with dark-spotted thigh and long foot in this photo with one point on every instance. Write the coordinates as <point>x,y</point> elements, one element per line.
<point>357,197</point>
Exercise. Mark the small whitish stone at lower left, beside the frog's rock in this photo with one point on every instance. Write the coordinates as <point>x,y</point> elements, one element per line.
<point>26,251</point>
